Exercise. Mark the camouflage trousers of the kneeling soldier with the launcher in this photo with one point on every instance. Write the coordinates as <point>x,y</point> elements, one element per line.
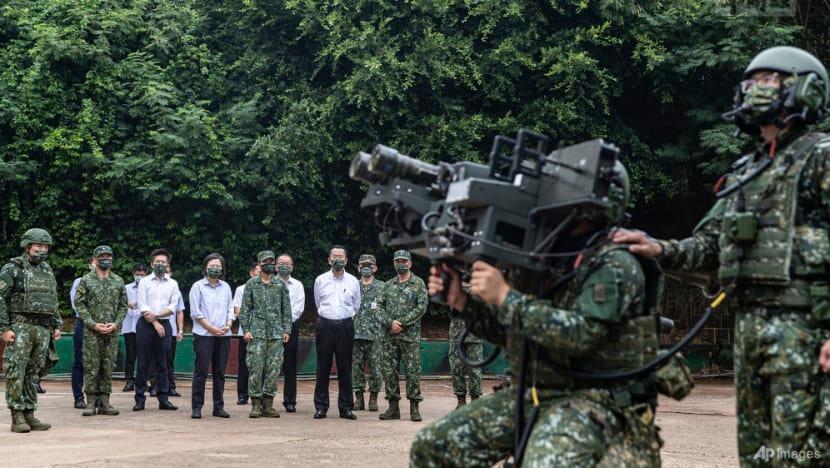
<point>569,431</point>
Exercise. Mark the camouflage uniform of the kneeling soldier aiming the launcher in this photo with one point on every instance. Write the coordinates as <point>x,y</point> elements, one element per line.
<point>578,424</point>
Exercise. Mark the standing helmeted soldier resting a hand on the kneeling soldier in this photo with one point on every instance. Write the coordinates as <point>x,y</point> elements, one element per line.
<point>767,237</point>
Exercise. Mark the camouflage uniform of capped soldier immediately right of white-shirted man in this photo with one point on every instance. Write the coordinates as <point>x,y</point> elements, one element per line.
<point>366,338</point>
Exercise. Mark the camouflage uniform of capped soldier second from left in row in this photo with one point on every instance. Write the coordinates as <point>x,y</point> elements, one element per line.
<point>100,300</point>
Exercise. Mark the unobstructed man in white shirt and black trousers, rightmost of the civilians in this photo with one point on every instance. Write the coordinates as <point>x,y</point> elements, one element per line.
<point>337,296</point>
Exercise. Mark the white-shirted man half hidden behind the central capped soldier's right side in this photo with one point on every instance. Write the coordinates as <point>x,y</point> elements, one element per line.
<point>296,293</point>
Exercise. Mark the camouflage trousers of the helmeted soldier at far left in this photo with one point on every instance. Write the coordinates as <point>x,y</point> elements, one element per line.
<point>22,361</point>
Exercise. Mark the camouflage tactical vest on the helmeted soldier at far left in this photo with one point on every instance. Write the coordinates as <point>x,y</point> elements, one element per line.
<point>39,293</point>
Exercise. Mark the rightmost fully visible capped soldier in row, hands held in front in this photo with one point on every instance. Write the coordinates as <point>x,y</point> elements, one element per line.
<point>403,303</point>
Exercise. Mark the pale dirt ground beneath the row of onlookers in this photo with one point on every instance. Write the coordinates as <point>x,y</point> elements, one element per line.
<point>699,431</point>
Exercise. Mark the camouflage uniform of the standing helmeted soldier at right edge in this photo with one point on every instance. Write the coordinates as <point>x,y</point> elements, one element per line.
<point>781,300</point>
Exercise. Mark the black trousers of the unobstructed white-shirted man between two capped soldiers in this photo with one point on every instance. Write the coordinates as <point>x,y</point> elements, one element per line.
<point>334,337</point>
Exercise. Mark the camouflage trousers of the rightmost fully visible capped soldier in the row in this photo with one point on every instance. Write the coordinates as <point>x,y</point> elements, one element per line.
<point>392,354</point>
